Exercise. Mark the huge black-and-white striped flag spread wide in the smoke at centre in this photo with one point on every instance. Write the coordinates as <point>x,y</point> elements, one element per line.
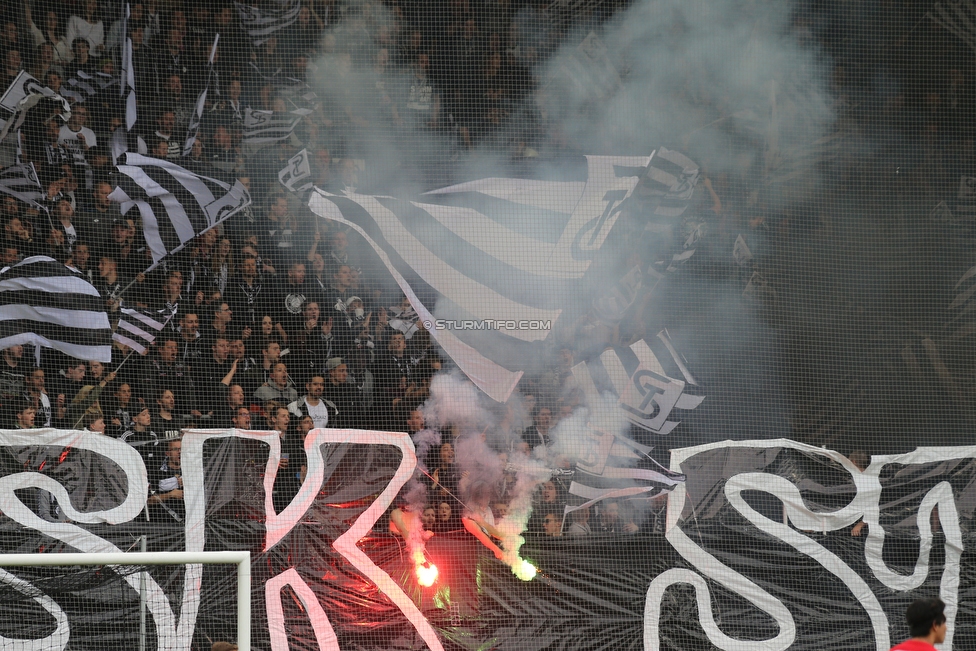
<point>488,265</point>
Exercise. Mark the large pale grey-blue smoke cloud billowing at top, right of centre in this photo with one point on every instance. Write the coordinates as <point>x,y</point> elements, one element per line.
<point>726,82</point>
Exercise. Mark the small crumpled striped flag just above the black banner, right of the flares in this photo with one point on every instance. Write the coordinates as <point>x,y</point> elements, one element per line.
<point>615,467</point>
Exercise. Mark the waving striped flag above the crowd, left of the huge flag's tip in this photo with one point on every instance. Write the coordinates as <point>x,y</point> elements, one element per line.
<point>174,203</point>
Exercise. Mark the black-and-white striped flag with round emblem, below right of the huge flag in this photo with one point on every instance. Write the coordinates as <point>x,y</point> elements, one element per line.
<point>650,380</point>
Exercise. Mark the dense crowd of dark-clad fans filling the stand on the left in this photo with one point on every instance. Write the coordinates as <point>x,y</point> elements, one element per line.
<point>276,320</point>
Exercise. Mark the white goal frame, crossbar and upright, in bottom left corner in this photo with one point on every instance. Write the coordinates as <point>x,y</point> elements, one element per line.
<point>242,559</point>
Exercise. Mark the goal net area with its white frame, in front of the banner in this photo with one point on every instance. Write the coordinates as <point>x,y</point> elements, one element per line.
<point>145,601</point>
